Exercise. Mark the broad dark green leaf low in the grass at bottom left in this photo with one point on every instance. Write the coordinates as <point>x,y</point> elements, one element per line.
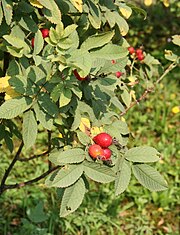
<point>36,214</point>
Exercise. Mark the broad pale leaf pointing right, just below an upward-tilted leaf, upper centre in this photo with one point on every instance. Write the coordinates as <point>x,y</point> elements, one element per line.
<point>110,52</point>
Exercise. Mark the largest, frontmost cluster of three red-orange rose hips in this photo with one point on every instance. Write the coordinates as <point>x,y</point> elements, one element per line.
<point>100,149</point>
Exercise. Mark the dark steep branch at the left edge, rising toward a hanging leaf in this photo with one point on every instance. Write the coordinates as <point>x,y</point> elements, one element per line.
<point>7,172</point>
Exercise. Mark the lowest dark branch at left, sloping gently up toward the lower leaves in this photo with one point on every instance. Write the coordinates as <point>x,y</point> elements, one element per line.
<point>19,185</point>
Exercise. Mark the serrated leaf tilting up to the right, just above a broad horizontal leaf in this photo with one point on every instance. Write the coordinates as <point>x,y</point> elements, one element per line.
<point>98,40</point>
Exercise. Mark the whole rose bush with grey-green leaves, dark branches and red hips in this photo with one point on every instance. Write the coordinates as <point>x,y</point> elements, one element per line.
<point>63,80</point>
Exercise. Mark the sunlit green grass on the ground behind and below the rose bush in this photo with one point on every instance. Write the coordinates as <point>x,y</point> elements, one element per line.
<point>137,211</point>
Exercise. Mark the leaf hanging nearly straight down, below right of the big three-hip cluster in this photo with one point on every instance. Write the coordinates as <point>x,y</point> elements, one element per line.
<point>123,177</point>
